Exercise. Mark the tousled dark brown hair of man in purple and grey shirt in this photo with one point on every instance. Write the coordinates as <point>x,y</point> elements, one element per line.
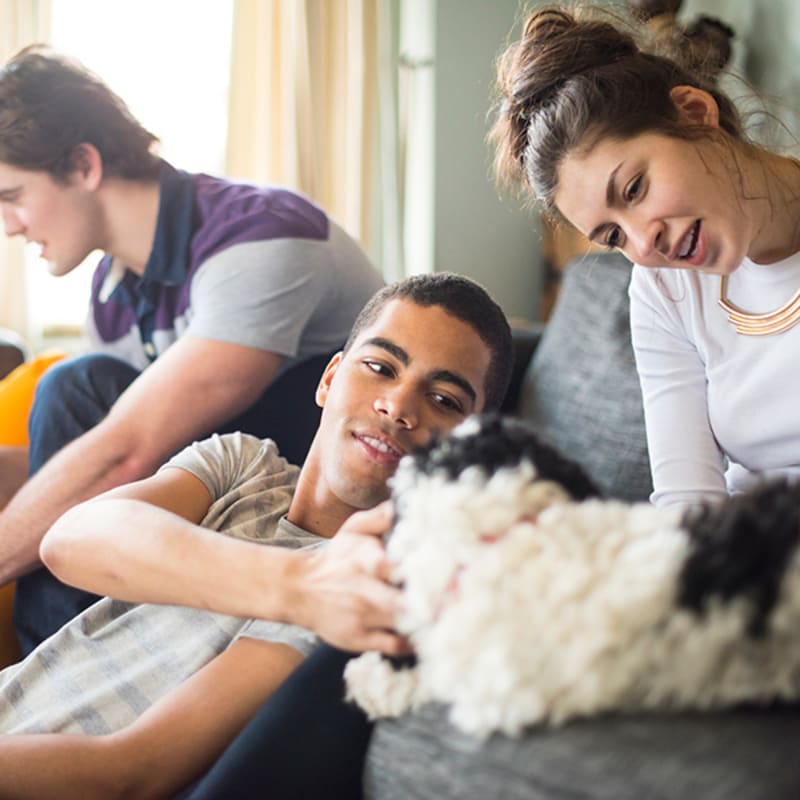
<point>50,104</point>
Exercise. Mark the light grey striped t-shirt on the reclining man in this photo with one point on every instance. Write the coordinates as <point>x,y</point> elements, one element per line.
<point>108,665</point>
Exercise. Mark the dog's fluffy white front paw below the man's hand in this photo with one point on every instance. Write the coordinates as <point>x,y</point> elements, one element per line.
<point>378,687</point>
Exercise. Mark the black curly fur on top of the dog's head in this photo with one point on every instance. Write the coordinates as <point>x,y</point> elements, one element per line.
<point>503,442</point>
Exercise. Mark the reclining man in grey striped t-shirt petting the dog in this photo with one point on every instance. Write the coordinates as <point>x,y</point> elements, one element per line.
<point>152,694</point>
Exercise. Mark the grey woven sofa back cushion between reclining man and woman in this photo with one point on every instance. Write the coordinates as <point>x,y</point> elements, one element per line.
<point>581,390</point>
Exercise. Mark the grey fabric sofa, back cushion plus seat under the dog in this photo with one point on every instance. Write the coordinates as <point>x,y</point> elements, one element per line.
<point>581,392</point>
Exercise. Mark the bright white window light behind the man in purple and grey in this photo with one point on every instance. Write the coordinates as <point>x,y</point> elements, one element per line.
<point>169,60</point>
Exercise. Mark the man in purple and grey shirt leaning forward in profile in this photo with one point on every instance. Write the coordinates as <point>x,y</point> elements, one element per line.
<point>214,308</point>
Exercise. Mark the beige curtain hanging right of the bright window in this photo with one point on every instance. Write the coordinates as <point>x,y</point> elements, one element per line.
<point>308,80</point>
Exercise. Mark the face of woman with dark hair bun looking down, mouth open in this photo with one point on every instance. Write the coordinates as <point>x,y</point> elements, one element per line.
<point>662,201</point>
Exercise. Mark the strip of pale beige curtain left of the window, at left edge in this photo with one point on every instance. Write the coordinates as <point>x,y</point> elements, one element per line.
<point>22,22</point>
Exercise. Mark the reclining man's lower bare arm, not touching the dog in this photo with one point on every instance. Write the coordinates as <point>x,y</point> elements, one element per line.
<point>172,743</point>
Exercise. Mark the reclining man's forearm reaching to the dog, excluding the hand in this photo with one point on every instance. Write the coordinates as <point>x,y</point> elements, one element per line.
<point>135,551</point>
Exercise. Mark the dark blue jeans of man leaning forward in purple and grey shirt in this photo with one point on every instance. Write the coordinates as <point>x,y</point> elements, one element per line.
<point>74,395</point>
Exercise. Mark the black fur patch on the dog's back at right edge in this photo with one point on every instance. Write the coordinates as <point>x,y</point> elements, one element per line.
<point>742,548</point>
